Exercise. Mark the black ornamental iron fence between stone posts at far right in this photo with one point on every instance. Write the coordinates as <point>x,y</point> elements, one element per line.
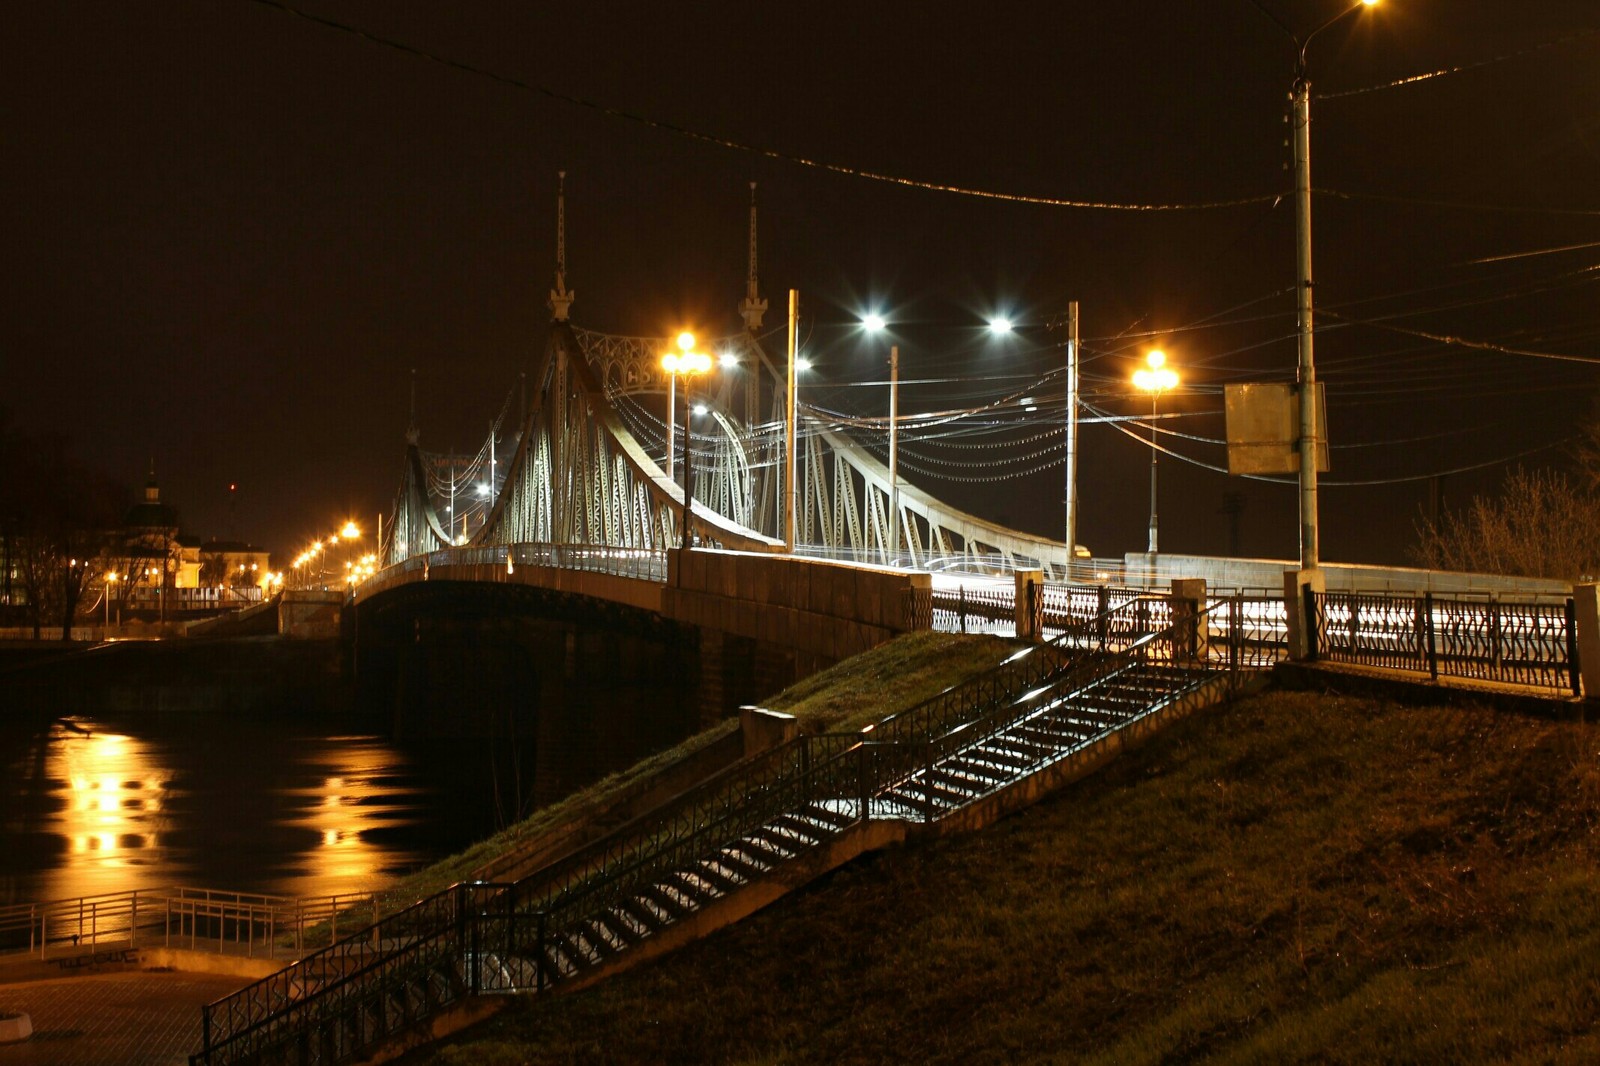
<point>1521,643</point>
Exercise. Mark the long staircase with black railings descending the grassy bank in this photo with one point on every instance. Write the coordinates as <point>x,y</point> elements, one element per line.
<point>734,844</point>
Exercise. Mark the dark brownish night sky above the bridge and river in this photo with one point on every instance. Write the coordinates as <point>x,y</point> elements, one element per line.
<point>233,233</point>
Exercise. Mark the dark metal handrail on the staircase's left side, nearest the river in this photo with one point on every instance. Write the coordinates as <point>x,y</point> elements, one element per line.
<point>746,798</point>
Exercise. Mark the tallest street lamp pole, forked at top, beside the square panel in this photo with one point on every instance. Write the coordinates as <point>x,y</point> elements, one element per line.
<point>1306,388</point>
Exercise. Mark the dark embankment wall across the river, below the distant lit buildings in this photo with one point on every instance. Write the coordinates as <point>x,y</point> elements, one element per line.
<point>177,676</point>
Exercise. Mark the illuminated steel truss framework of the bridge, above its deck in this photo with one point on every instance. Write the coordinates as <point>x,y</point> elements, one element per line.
<point>588,465</point>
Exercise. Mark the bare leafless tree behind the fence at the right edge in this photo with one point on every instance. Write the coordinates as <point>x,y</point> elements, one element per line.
<point>1540,526</point>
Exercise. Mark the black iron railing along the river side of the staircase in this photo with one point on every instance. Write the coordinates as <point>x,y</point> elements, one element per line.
<point>482,937</point>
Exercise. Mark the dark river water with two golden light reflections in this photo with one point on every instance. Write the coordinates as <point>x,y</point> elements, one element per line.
<point>281,806</point>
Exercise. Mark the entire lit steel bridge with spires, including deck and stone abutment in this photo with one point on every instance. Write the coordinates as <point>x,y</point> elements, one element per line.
<point>794,547</point>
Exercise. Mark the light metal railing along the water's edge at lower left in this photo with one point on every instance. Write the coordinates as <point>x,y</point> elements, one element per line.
<point>191,920</point>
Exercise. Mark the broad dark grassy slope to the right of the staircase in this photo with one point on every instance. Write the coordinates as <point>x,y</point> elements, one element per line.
<point>1295,878</point>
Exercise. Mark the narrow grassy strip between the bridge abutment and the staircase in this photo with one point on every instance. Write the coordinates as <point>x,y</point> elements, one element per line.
<point>846,697</point>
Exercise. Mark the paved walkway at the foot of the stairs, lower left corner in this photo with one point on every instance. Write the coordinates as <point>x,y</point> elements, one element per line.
<point>127,1019</point>
